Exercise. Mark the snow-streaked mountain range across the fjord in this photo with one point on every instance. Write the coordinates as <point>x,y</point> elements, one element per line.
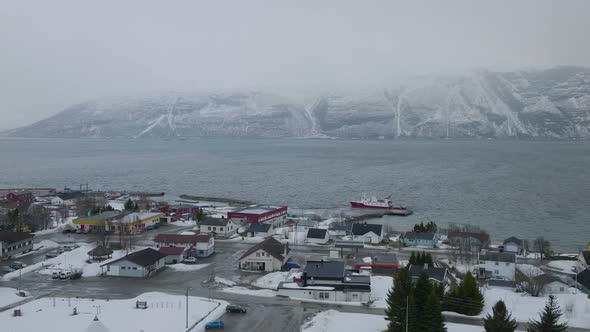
<point>552,103</point>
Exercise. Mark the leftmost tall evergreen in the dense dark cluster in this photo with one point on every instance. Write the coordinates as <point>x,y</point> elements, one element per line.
<point>398,299</point>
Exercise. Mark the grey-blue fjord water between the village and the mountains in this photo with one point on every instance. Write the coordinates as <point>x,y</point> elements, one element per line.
<point>522,188</point>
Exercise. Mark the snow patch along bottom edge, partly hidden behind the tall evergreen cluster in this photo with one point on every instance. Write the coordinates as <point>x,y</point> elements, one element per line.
<point>335,321</point>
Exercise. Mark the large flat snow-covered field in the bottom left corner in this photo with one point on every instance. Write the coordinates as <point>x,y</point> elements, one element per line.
<point>164,313</point>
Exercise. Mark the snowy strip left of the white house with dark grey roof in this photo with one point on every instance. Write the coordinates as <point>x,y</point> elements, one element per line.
<point>69,260</point>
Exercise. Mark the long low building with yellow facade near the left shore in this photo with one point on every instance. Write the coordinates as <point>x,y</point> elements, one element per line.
<point>115,220</point>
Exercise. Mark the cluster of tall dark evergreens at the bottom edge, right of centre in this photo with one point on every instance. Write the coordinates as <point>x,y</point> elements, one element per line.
<point>417,304</point>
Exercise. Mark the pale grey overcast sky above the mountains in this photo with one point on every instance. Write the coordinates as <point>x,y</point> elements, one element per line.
<point>57,53</point>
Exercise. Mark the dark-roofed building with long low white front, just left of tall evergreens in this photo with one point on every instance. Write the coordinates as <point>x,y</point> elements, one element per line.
<point>328,281</point>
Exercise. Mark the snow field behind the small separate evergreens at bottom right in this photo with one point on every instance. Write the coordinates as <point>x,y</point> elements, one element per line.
<point>576,307</point>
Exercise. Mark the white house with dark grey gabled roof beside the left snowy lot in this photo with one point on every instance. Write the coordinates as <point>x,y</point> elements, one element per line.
<point>139,264</point>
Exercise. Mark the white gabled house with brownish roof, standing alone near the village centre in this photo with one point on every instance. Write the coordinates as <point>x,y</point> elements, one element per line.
<point>268,256</point>
